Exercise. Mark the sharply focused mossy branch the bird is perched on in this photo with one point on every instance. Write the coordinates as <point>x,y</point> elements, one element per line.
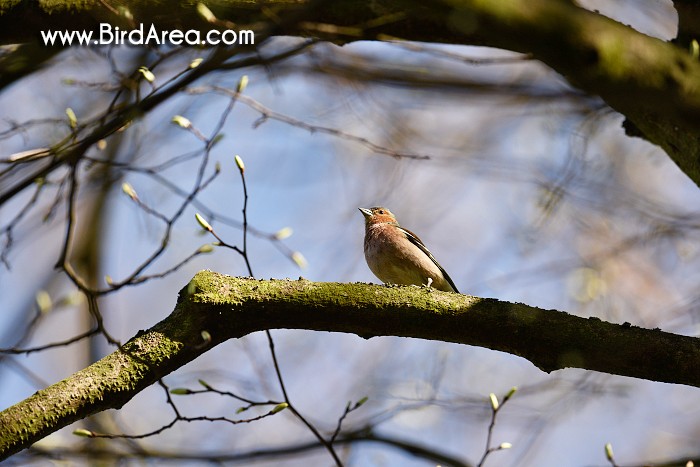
<point>228,307</point>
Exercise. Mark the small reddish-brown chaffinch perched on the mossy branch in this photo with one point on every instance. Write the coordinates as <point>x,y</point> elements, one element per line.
<point>397,256</point>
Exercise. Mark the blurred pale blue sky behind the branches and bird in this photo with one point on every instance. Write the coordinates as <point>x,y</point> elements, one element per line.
<point>486,203</point>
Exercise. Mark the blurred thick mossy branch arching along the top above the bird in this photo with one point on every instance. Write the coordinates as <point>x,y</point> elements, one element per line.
<point>652,82</point>
